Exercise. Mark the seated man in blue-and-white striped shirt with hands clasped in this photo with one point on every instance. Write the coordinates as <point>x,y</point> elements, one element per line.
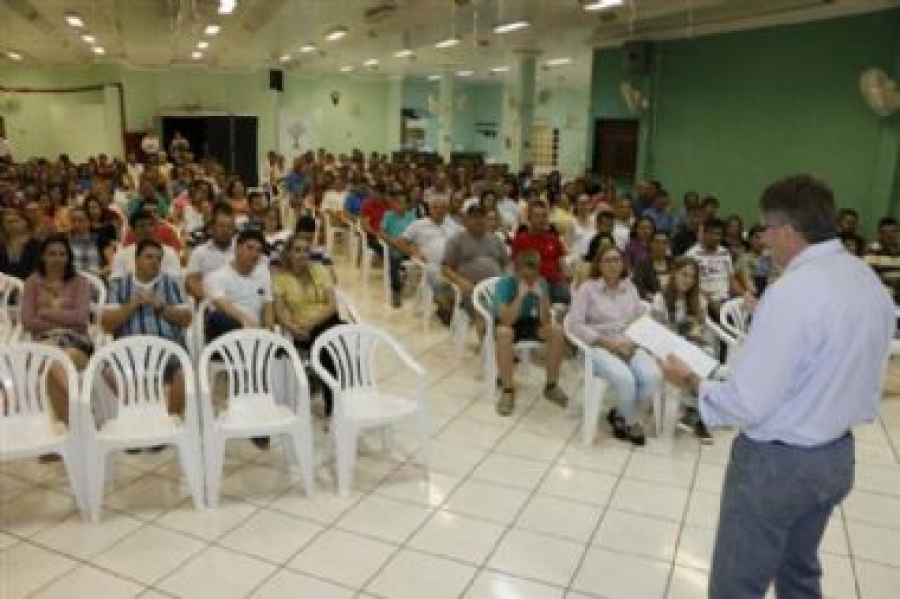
<point>150,302</point>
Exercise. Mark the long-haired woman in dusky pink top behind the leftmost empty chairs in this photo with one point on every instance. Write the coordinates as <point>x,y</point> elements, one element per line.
<point>56,307</point>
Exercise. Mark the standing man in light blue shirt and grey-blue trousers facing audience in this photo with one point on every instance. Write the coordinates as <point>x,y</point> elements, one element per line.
<point>812,368</point>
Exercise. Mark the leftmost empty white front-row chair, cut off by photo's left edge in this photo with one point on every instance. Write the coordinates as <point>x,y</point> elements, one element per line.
<point>28,428</point>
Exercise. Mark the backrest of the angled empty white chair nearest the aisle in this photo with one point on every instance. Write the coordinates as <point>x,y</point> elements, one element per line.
<point>352,349</point>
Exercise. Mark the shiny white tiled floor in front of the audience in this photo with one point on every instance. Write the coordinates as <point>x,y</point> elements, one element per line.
<point>515,508</point>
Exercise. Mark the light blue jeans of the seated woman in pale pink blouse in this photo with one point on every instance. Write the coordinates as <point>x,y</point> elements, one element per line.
<point>634,383</point>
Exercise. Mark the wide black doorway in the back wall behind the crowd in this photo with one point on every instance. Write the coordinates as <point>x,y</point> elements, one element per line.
<point>229,139</point>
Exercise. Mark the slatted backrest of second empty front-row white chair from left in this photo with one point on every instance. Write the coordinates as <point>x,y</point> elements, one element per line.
<point>136,367</point>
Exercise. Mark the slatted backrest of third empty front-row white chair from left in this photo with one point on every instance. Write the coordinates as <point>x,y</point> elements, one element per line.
<point>252,361</point>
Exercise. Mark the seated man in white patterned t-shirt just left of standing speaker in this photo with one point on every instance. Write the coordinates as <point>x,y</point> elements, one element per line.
<point>717,275</point>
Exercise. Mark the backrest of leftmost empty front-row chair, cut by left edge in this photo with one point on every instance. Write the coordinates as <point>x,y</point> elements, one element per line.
<point>24,372</point>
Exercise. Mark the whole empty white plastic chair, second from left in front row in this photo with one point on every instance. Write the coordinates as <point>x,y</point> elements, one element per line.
<point>131,373</point>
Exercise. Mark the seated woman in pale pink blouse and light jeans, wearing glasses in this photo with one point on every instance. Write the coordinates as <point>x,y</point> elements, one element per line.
<point>602,308</point>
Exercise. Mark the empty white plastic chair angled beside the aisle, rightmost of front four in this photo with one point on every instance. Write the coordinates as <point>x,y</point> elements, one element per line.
<point>358,402</point>
